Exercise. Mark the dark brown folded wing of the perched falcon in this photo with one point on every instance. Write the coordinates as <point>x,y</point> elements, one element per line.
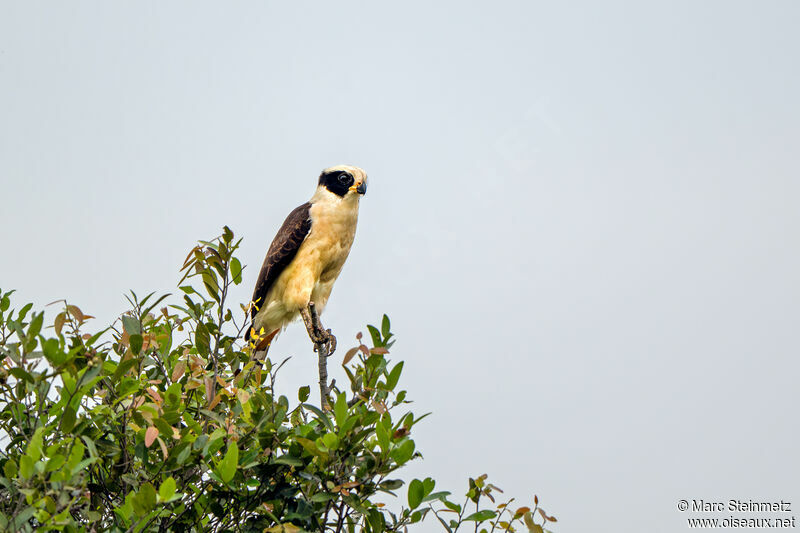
<point>281,252</point>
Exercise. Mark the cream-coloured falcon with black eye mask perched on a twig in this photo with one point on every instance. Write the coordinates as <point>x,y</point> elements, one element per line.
<point>307,254</point>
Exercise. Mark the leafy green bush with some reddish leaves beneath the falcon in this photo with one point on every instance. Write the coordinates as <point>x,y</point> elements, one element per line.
<point>166,422</point>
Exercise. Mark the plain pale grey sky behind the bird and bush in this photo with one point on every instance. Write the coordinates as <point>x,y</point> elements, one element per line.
<point>582,217</point>
